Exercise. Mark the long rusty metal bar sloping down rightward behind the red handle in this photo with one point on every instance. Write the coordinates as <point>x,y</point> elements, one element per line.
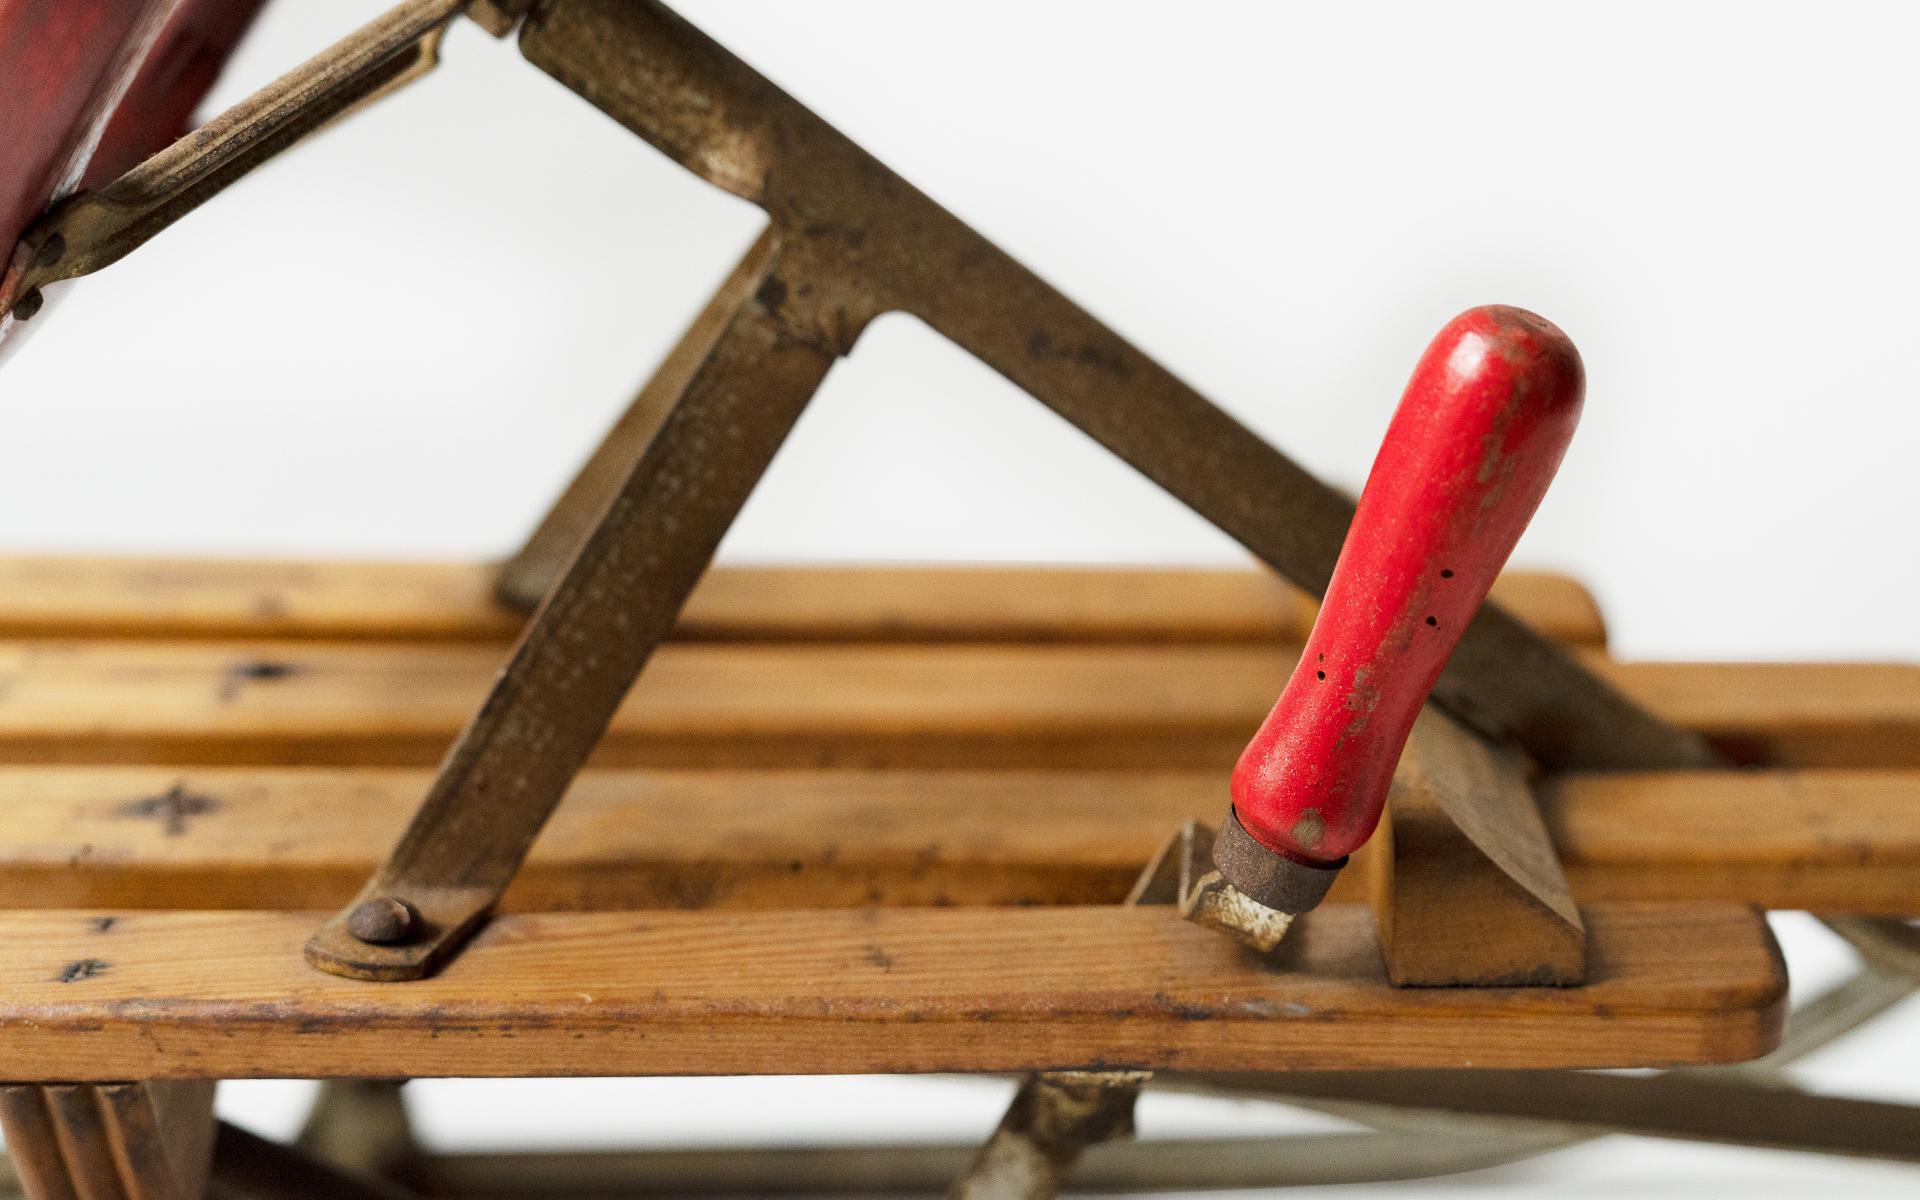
<point>859,231</point>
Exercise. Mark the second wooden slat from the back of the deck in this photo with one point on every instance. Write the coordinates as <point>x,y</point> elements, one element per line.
<point>788,706</point>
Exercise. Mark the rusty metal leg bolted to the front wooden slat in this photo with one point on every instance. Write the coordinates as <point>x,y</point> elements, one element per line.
<point>583,652</point>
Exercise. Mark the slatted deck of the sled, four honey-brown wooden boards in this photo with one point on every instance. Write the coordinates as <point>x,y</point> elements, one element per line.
<point>880,830</point>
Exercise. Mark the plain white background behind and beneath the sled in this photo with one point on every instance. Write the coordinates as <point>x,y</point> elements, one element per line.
<point>402,339</point>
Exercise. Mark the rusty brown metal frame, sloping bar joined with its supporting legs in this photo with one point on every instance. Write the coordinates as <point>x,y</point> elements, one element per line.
<point>848,241</point>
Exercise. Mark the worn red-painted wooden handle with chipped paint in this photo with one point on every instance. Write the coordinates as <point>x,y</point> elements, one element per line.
<point>1466,462</point>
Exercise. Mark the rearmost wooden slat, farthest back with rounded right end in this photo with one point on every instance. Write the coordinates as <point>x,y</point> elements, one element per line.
<point>187,598</point>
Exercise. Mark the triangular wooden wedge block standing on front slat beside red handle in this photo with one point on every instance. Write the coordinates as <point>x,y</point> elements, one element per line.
<point>1468,890</point>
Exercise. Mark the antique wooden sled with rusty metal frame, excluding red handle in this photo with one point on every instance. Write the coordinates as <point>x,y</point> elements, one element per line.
<point>855,821</point>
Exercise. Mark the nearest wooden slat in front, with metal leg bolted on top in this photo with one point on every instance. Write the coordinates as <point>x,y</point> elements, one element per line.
<point>884,990</point>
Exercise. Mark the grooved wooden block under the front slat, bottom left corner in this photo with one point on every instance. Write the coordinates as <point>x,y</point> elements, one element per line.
<point>110,1141</point>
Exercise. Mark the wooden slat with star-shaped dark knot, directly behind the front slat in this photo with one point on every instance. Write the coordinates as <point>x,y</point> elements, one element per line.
<point>268,838</point>
